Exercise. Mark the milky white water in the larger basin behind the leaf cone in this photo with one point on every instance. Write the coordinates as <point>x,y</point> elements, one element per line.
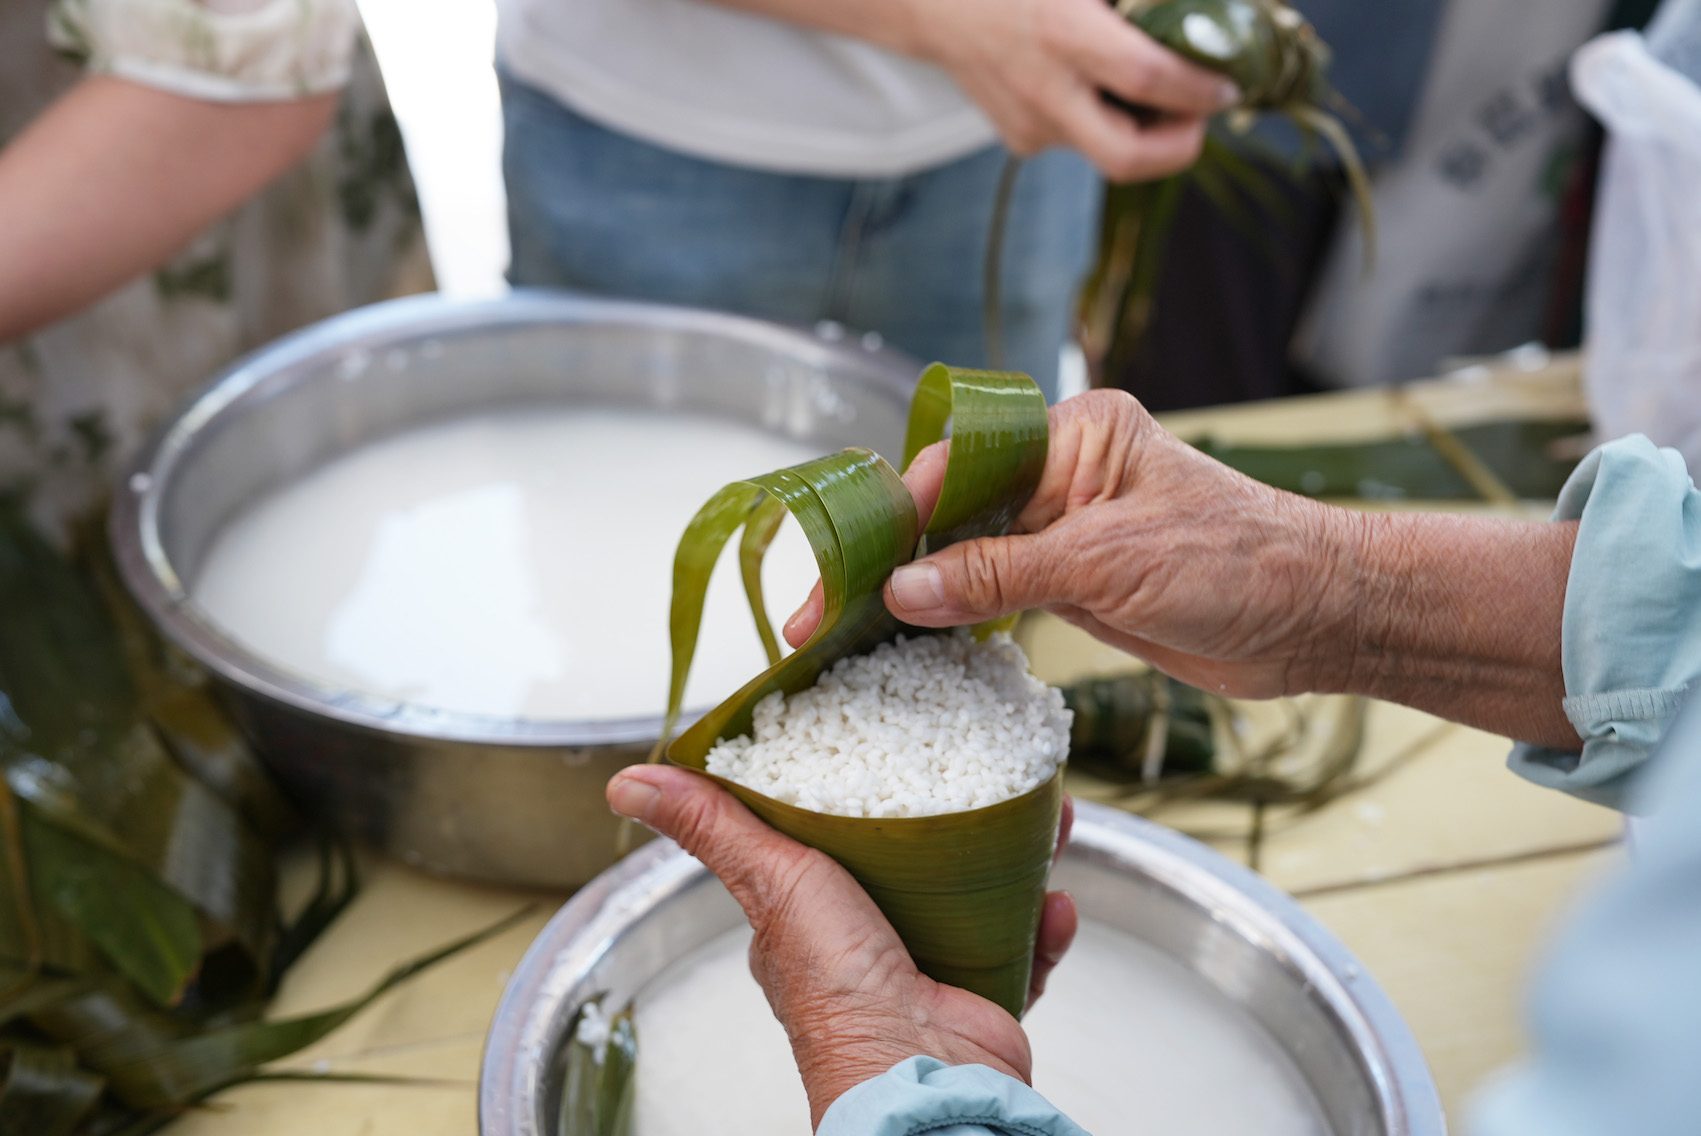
<point>515,564</point>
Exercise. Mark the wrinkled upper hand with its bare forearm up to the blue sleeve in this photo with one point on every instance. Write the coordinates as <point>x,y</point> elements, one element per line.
<point>1253,593</point>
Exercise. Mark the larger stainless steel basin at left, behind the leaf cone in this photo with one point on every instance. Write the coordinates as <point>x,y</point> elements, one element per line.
<point>501,800</point>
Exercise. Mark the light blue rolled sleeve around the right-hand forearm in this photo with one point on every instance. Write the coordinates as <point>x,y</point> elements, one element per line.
<point>1632,637</point>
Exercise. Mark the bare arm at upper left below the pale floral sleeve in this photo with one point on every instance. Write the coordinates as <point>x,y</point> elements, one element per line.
<point>115,178</point>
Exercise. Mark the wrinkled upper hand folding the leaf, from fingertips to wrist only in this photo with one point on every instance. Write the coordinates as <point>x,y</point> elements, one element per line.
<point>1154,548</point>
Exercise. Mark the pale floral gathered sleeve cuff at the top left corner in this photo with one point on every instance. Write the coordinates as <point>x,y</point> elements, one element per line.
<point>220,50</point>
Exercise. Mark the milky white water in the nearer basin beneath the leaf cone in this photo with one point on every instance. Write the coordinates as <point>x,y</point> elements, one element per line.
<point>1127,1043</point>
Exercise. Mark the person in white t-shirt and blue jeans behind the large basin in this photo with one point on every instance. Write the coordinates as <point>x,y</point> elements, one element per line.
<point>807,161</point>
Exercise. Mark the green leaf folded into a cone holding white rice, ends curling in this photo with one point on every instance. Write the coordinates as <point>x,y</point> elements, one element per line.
<point>964,890</point>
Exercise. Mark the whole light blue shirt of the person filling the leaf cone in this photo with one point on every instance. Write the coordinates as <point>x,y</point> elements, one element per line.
<point>1617,1011</point>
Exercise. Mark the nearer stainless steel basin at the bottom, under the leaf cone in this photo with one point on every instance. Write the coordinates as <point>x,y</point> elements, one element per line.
<point>1220,921</point>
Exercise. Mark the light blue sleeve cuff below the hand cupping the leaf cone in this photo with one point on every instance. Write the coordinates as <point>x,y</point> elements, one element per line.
<point>928,1096</point>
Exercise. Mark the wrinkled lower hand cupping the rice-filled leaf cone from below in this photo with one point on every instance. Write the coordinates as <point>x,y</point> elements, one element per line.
<point>834,970</point>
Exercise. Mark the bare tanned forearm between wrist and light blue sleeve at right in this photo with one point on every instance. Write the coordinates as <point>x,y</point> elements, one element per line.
<point>1459,616</point>
